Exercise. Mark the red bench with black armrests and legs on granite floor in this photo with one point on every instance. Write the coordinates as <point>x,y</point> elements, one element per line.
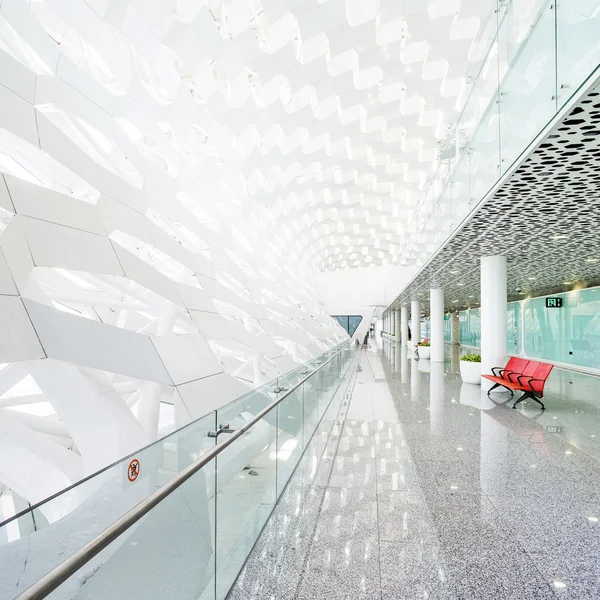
<point>522,375</point>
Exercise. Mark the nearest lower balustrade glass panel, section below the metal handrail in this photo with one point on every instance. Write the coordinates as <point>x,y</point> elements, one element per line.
<point>169,553</point>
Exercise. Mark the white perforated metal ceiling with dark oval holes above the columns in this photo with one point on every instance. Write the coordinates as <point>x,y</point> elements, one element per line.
<point>545,219</point>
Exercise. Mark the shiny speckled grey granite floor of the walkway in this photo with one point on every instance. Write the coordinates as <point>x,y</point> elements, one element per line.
<point>424,488</point>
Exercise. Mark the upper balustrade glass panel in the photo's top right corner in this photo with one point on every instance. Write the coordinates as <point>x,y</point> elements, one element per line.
<point>578,24</point>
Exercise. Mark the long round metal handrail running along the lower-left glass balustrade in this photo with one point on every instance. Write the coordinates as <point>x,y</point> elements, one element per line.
<point>62,572</point>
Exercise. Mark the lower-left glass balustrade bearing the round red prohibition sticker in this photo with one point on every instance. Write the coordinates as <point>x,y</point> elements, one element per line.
<point>194,543</point>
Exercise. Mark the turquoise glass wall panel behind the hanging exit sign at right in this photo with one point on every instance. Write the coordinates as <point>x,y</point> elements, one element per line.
<point>570,334</point>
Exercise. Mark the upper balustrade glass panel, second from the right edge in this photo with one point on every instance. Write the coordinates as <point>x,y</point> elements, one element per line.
<point>528,92</point>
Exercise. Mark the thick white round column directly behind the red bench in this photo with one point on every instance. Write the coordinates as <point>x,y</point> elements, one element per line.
<point>493,314</point>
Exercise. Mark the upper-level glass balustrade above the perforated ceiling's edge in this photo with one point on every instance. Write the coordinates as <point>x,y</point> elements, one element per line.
<point>530,59</point>
